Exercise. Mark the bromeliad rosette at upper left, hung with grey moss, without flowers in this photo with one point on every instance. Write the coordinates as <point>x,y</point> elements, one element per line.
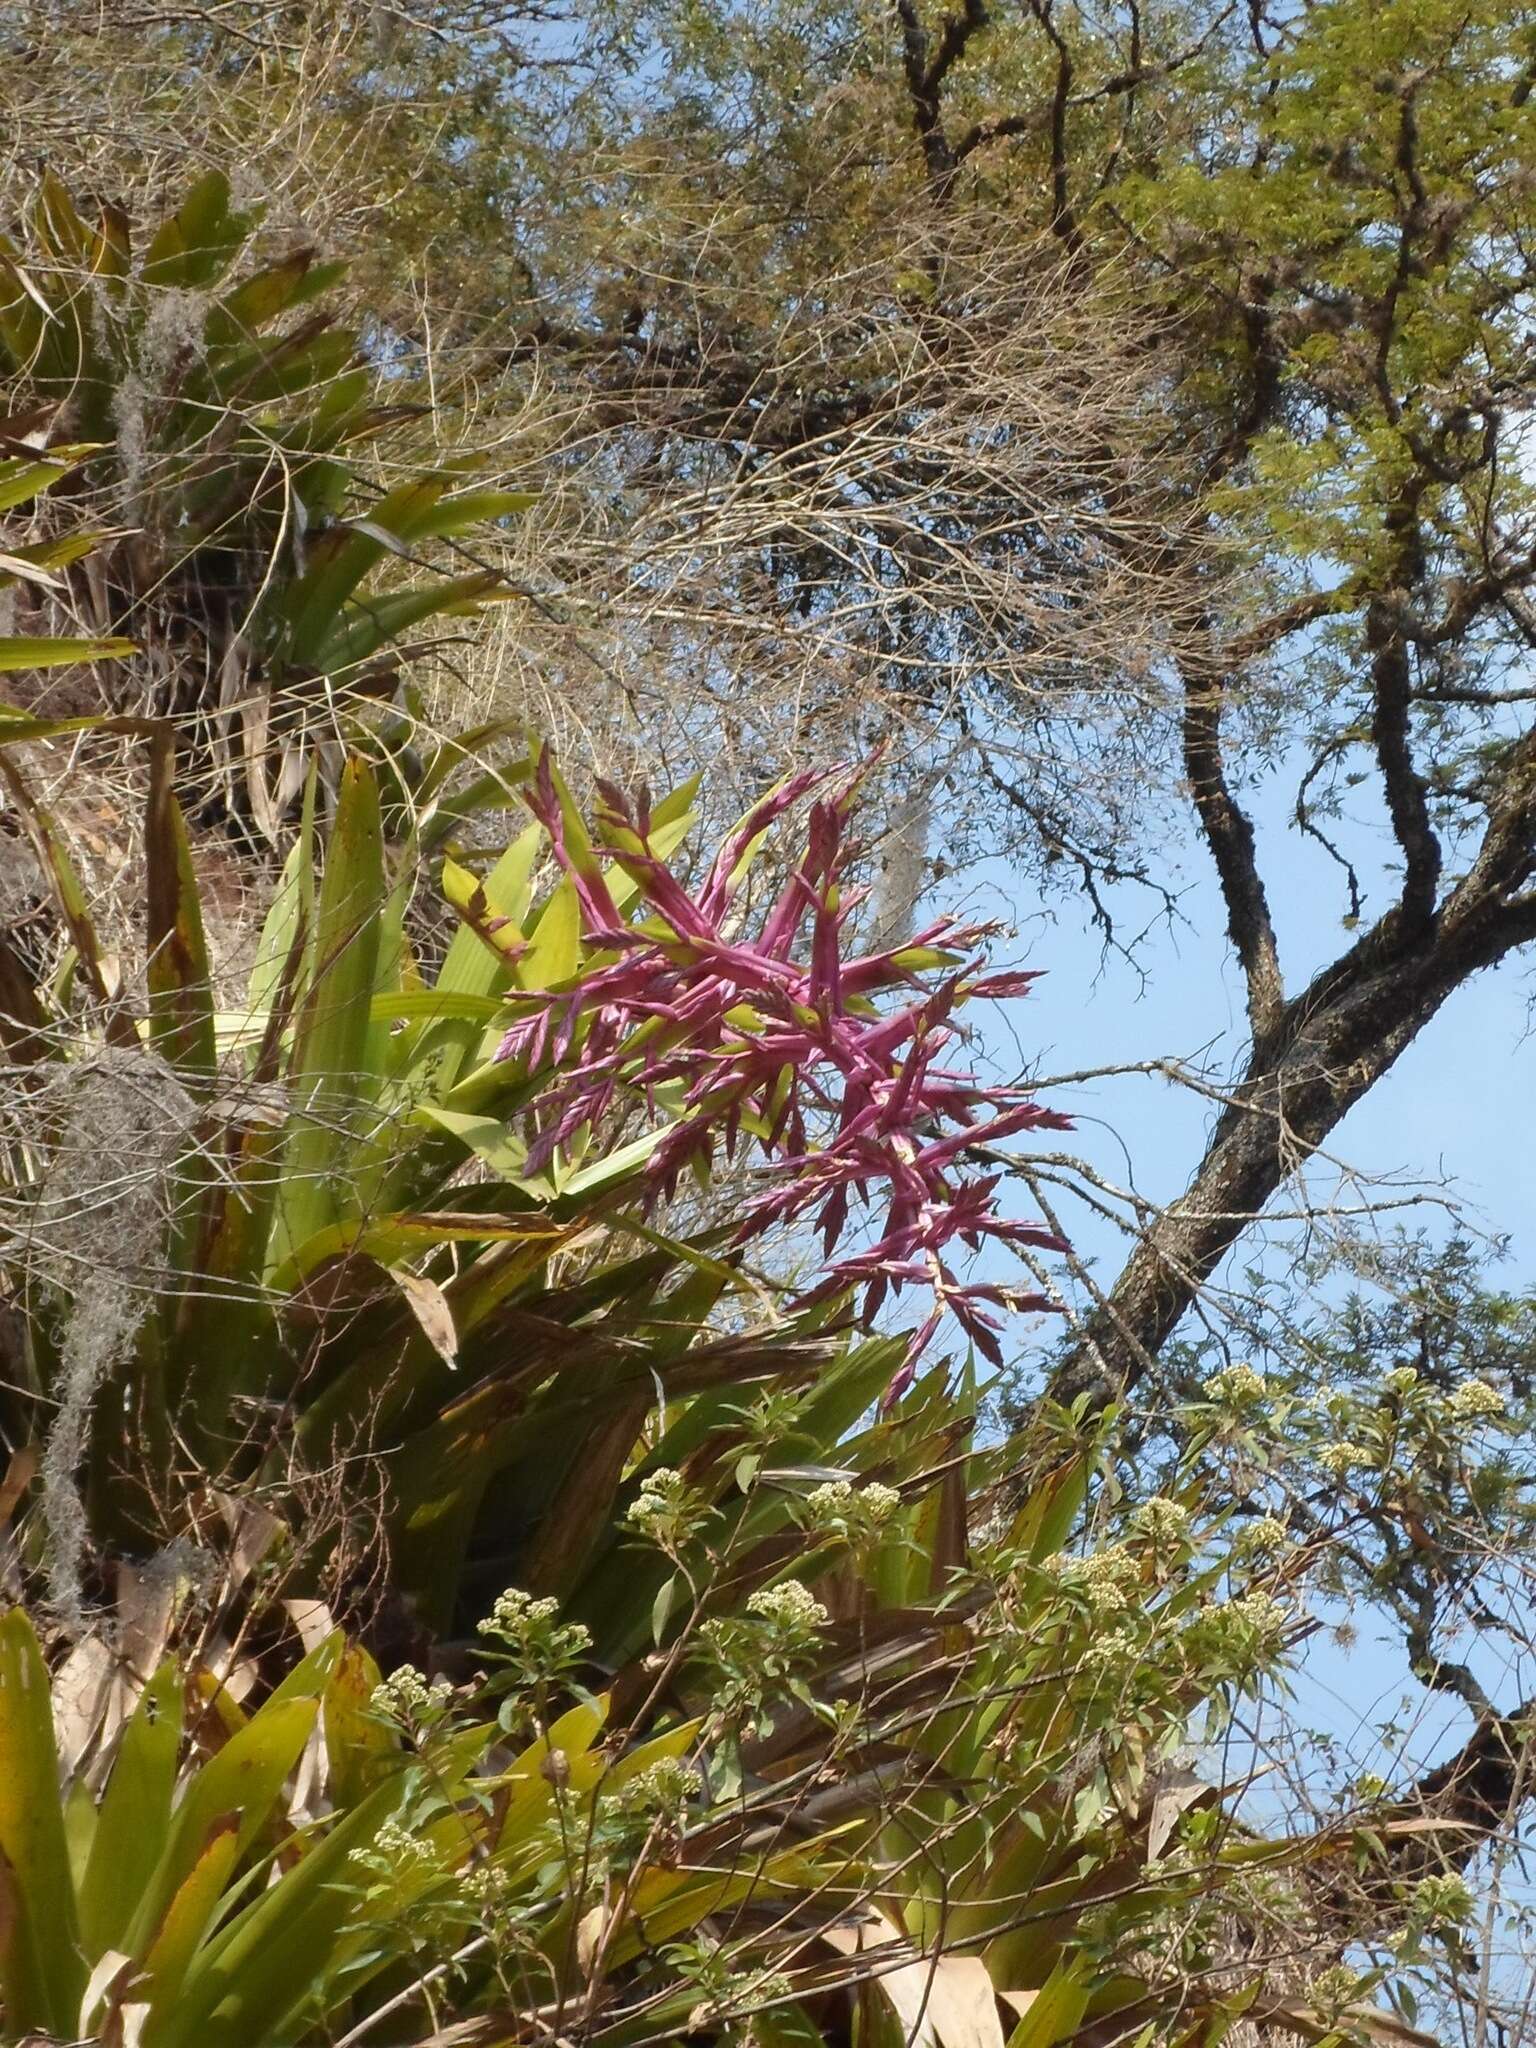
<point>218,413</point>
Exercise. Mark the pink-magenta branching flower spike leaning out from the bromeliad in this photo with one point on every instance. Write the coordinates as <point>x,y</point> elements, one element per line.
<point>779,1037</point>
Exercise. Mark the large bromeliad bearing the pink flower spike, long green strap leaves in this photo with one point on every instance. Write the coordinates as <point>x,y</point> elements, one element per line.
<point>413,1230</point>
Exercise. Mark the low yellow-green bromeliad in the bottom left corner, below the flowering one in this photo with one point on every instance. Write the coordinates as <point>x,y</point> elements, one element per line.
<point>353,1857</point>
